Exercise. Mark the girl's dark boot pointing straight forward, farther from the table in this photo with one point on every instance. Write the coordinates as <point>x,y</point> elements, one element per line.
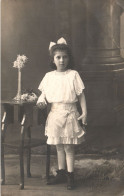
<point>70,180</point>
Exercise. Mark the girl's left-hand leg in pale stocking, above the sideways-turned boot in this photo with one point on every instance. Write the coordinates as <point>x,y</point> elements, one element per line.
<point>61,156</point>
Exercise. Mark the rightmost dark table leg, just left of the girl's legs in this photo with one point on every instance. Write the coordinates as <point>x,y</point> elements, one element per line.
<point>48,162</point>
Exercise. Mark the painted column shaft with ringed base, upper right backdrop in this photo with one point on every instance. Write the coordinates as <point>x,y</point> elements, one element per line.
<point>103,35</point>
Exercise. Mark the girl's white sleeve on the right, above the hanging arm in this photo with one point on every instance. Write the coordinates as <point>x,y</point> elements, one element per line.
<point>78,84</point>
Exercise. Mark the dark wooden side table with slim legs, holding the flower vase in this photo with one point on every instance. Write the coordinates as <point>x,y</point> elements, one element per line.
<point>26,115</point>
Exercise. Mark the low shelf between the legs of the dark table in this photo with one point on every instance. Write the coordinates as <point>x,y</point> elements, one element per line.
<point>33,142</point>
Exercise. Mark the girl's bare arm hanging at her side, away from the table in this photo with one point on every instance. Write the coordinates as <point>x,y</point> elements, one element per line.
<point>82,101</point>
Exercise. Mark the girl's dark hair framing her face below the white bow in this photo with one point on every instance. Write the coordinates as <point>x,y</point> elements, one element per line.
<point>61,47</point>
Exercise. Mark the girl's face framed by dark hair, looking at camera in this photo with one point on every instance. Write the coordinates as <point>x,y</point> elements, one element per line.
<point>61,60</point>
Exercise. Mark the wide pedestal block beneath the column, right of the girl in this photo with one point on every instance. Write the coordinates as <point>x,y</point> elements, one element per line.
<point>104,93</point>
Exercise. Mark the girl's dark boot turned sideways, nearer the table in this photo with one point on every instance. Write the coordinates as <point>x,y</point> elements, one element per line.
<point>59,178</point>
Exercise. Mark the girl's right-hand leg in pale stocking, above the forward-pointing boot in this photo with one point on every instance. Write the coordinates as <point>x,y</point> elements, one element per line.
<point>70,156</point>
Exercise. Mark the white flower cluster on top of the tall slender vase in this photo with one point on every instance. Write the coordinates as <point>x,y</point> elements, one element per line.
<point>20,61</point>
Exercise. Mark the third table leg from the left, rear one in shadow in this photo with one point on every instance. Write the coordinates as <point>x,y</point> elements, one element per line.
<point>29,153</point>
